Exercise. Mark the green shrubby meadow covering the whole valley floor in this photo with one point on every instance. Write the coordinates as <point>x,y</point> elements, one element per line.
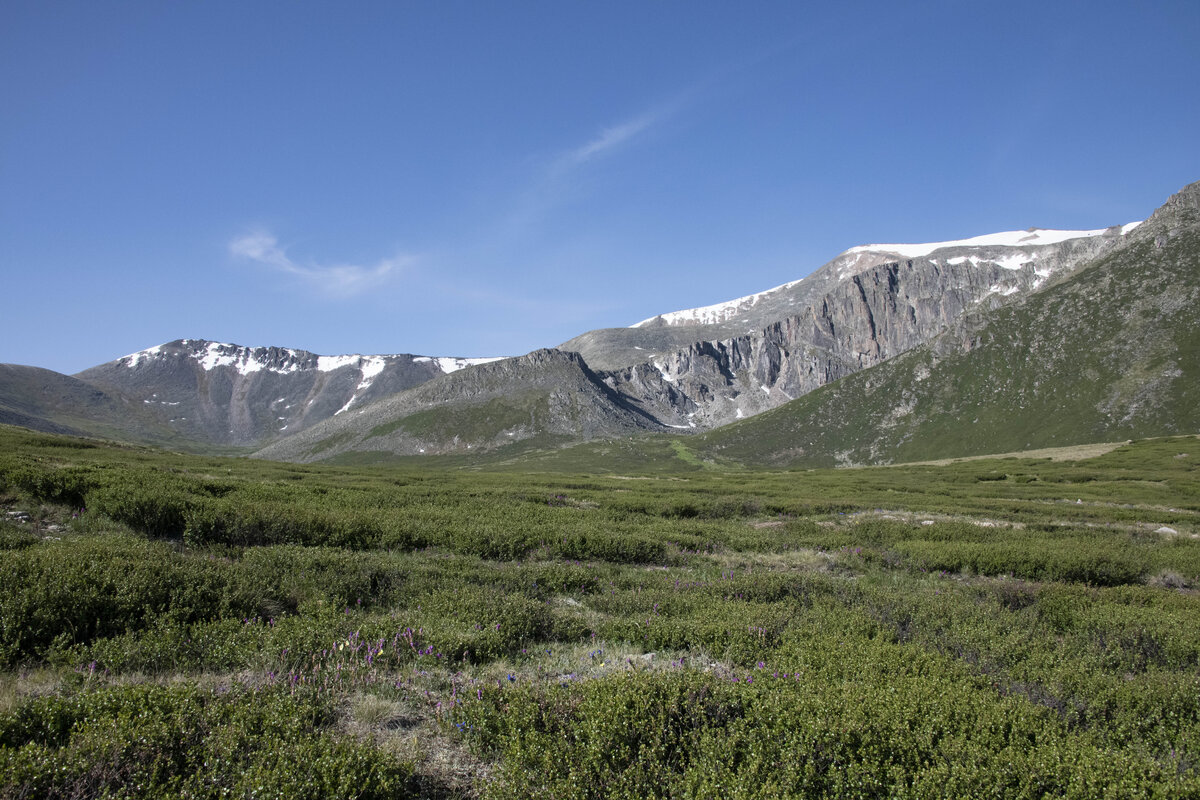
<point>200,627</point>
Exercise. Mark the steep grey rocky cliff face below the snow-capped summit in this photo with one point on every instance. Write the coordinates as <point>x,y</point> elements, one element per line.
<point>867,317</point>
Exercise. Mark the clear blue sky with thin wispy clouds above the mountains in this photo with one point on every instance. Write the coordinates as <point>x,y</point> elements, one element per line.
<point>483,179</point>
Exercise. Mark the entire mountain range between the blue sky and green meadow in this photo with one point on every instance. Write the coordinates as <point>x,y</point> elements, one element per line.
<point>890,352</point>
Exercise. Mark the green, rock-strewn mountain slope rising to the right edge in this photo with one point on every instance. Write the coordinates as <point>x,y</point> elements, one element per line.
<point>1111,353</point>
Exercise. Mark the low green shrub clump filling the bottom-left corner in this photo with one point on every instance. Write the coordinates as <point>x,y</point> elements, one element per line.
<point>154,742</point>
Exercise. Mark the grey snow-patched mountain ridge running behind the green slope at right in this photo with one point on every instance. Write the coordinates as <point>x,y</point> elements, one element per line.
<point>685,372</point>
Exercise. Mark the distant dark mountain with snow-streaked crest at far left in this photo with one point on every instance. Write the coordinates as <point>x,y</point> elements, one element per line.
<point>201,395</point>
